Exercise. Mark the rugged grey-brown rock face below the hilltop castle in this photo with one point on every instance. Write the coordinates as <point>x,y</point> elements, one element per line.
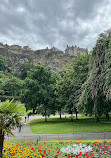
<point>55,59</point>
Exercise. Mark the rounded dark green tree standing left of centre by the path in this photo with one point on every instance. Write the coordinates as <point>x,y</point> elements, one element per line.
<point>38,91</point>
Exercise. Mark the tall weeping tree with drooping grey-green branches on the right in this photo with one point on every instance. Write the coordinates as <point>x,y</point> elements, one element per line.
<point>93,98</point>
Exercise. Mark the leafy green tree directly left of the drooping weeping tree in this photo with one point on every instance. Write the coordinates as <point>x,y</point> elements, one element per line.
<point>69,84</point>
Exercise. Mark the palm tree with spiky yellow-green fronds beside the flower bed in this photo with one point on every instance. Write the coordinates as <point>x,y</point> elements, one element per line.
<point>9,118</point>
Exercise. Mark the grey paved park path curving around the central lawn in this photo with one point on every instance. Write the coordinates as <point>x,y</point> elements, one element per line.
<point>26,133</point>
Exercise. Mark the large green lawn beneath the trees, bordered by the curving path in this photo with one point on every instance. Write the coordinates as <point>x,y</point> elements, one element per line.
<point>65,126</point>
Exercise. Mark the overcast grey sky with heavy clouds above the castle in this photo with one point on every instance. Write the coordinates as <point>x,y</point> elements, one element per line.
<point>42,23</point>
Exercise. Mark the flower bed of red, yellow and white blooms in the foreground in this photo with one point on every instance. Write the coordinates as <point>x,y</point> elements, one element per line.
<point>59,149</point>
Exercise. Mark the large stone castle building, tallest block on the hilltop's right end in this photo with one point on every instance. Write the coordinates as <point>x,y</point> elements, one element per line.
<point>74,50</point>
